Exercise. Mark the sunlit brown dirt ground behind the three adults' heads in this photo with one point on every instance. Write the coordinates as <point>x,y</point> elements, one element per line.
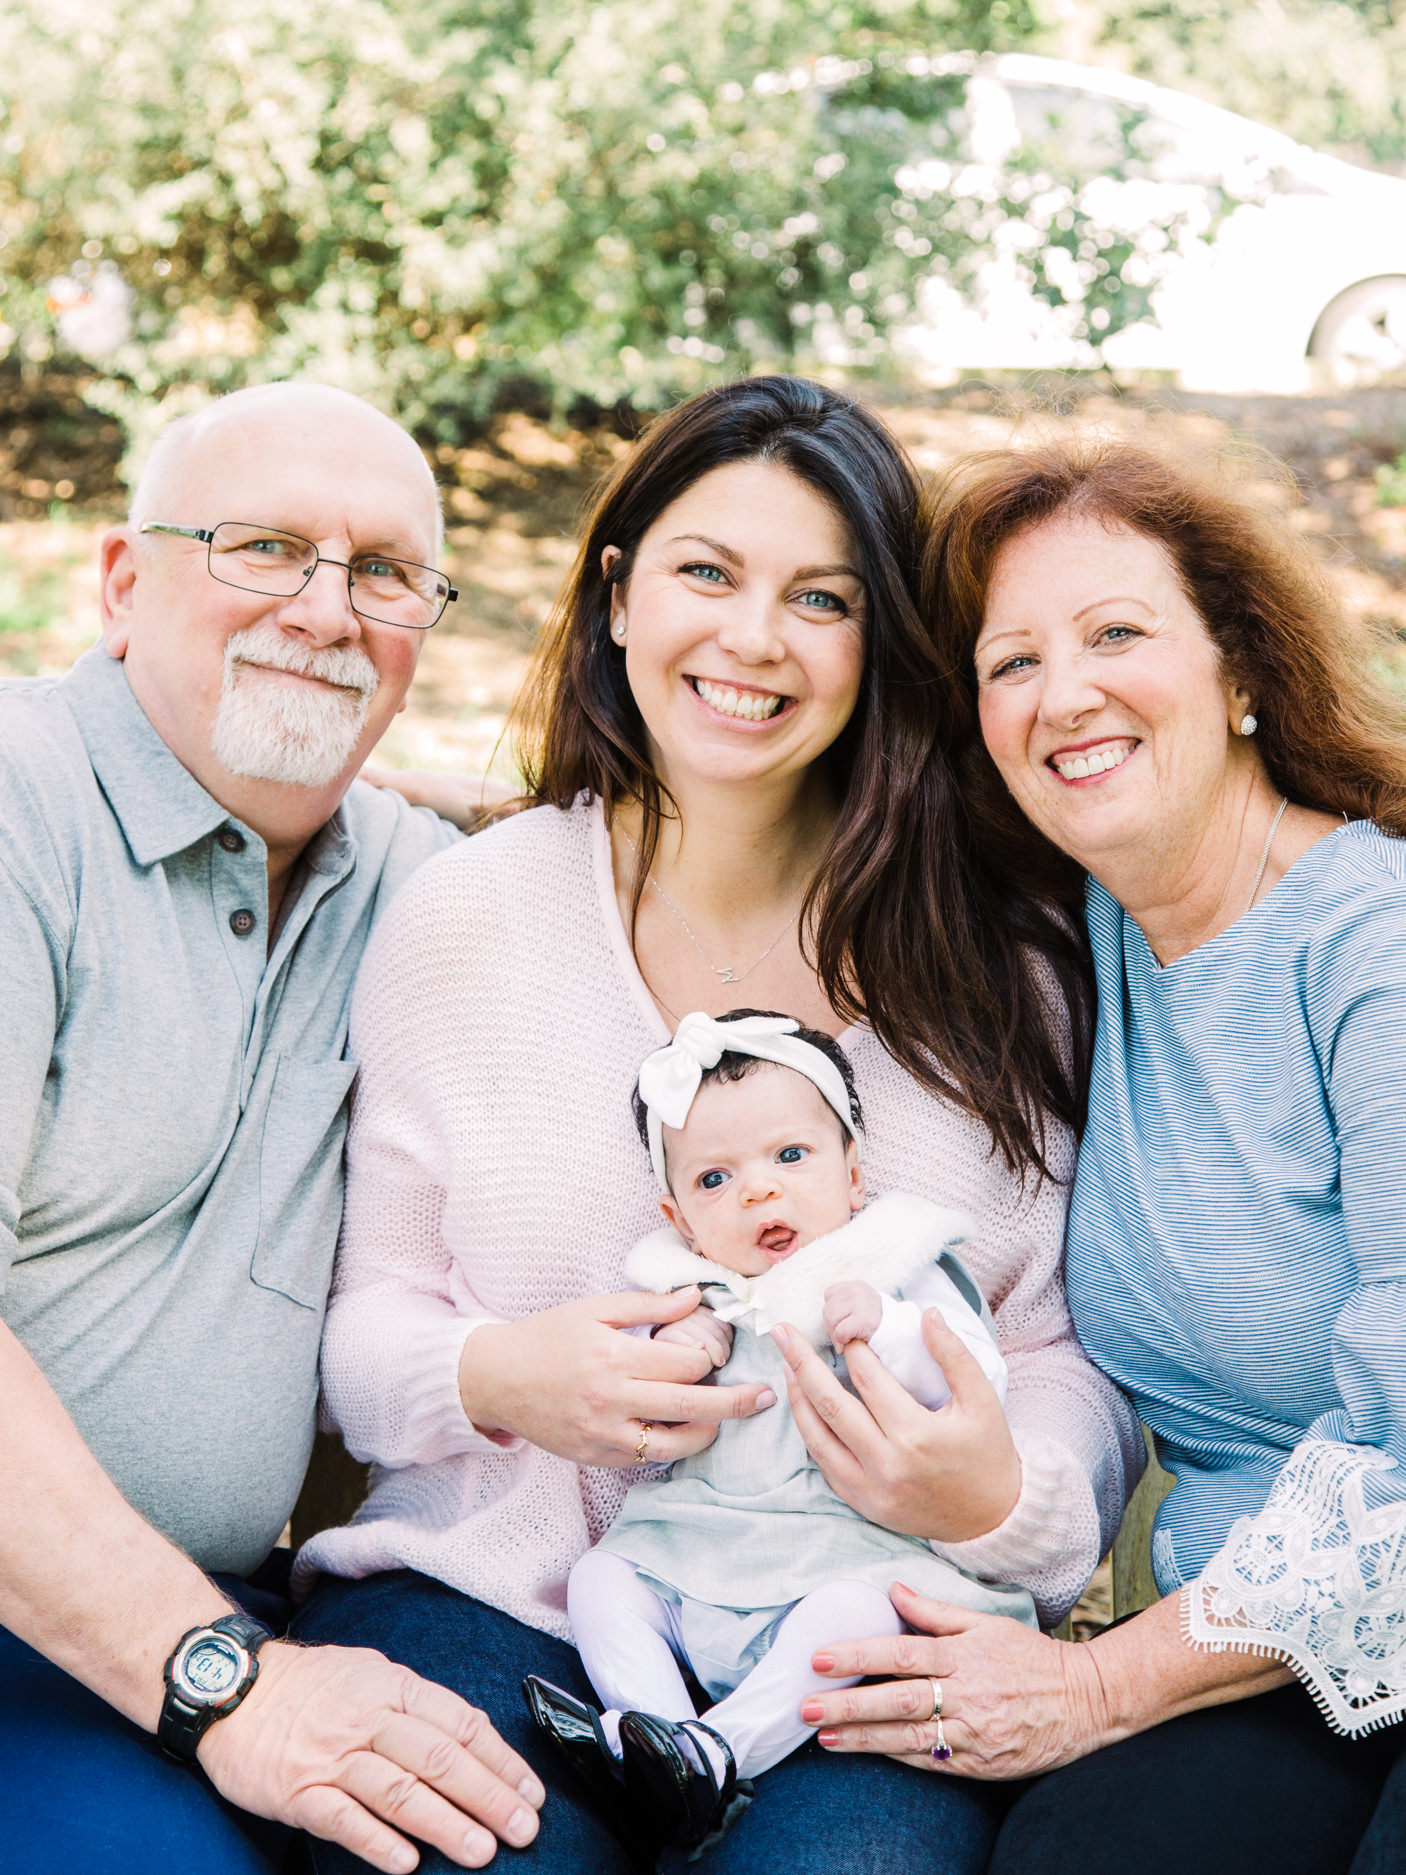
<point>516,496</point>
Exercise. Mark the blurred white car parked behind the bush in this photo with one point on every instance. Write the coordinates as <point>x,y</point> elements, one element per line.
<point>1308,265</point>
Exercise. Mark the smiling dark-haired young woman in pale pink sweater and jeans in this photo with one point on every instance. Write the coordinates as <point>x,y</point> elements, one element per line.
<point>738,779</point>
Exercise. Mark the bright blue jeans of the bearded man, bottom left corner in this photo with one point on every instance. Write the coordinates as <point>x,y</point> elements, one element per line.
<point>83,1790</point>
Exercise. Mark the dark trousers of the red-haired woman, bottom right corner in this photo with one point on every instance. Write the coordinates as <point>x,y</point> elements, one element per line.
<point>1259,1788</point>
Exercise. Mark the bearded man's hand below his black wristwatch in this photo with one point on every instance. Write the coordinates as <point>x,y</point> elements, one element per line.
<point>344,1745</point>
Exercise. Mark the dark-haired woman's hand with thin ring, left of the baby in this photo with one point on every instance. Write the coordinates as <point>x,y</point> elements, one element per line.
<point>569,1383</point>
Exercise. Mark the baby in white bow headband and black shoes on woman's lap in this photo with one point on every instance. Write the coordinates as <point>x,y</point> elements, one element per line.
<point>741,1563</point>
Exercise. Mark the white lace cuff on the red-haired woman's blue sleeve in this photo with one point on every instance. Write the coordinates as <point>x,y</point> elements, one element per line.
<point>1319,1582</point>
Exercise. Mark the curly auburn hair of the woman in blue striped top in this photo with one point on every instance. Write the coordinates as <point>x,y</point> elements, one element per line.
<point>1330,732</point>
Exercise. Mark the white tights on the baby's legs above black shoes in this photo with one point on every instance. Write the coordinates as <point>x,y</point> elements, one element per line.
<point>631,1649</point>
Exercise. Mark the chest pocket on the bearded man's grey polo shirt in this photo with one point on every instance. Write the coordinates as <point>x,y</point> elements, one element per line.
<point>301,1178</point>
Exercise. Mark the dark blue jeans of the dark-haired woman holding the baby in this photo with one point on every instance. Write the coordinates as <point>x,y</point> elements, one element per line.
<point>813,1814</point>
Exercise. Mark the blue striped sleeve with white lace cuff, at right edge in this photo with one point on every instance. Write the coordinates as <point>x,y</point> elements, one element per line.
<point>1319,1576</point>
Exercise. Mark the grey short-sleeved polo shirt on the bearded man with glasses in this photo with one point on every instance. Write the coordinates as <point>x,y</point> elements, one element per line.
<point>173,1102</point>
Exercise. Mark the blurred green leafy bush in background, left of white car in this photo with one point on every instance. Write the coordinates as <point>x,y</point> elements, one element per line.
<point>436,203</point>
